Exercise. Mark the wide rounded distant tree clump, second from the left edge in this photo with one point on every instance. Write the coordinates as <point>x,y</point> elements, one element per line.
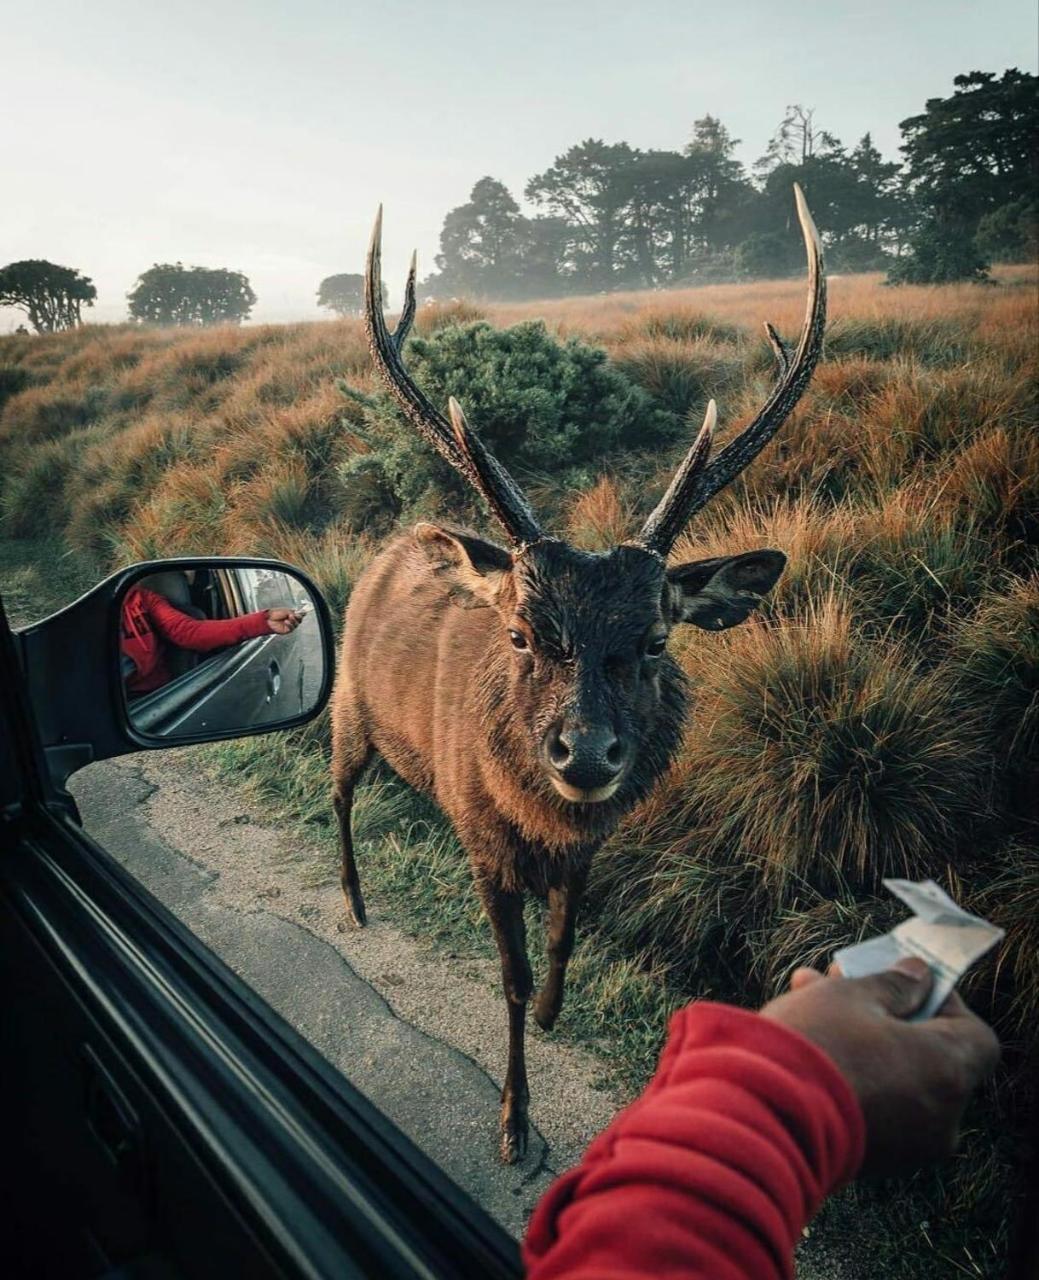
<point>177,295</point>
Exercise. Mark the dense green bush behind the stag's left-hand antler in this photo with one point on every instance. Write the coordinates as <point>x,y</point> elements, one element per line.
<point>539,405</point>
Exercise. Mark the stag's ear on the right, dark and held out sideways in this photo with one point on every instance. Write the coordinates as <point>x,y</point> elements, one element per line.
<point>718,593</point>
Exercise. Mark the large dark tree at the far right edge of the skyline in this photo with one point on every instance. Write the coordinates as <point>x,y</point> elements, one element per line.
<point>967,157</point>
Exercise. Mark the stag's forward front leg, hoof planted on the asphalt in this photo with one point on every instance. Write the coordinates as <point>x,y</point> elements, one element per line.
<point>506,915</point>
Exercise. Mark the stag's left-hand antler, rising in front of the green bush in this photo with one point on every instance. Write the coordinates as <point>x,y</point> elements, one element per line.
<point>455,441</point>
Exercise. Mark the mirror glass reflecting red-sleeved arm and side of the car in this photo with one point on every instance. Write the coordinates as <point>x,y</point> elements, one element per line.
<point>208,651</point>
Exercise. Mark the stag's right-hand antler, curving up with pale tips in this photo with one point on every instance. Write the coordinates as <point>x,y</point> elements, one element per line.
<point>697,483</point>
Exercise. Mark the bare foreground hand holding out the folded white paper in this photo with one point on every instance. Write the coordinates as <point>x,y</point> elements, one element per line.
<point>913,1080</point>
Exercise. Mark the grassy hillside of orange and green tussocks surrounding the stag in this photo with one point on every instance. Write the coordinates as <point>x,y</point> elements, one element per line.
<point>882,717</point>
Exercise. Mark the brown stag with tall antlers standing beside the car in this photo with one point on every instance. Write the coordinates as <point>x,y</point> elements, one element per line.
<point>529,689</point>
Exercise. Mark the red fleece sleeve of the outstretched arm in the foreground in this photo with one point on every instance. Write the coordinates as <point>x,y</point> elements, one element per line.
<point>715,1171</point>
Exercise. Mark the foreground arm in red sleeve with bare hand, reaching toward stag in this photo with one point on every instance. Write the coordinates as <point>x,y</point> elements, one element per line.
<point>750,1122</point>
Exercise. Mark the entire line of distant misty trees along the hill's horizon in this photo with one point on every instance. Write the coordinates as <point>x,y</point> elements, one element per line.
<point>615,217</point>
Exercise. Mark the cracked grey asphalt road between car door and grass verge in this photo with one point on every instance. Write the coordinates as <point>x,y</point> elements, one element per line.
<point>423,1037</point>
